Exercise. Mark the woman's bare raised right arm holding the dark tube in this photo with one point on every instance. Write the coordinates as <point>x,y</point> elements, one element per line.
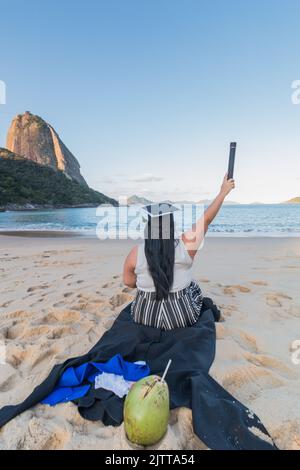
<point>193,238</point>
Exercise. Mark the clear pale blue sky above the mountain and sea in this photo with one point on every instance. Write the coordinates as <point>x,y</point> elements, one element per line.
<point>147,94</point>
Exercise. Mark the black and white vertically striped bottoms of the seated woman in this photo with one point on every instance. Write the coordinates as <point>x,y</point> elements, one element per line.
<point>179,309</point>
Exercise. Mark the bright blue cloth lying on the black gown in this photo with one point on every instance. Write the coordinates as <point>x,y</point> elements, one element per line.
<point>71,384</point>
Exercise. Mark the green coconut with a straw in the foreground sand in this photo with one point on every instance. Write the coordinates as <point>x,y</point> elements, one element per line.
<point>146,411</point>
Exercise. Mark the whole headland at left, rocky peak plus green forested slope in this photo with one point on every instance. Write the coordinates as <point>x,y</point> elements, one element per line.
<point>38,171</point>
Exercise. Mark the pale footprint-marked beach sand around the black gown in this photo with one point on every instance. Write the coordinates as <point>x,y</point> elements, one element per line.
<point>59,295</point>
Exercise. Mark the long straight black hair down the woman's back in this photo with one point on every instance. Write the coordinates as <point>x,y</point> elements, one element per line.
<point>160,252</point>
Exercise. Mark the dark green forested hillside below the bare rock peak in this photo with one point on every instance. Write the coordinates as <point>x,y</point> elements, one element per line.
<point>25,182</point>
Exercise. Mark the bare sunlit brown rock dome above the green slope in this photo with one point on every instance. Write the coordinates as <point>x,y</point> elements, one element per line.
<point>34,139</point>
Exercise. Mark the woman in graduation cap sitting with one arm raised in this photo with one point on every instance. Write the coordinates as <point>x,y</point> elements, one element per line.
<point>161,267</point>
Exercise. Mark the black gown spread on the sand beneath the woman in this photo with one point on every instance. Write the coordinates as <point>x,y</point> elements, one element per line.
<point>219,420</point>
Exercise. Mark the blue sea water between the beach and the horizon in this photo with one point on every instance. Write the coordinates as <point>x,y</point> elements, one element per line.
<point>232,220</point>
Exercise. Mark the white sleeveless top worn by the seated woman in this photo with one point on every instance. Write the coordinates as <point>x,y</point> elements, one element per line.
<point>182,269</point>
